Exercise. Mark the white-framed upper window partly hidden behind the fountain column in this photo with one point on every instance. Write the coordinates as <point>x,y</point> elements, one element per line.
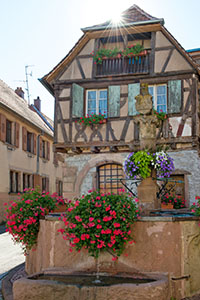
<point>159,93</point>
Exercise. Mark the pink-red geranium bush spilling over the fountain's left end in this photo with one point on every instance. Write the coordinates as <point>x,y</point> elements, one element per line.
<point>24,214</point>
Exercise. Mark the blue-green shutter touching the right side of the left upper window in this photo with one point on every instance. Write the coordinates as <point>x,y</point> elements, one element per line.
<point>114,101</point>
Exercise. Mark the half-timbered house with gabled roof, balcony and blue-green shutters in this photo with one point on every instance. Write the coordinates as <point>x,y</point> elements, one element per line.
<point>95,154</point>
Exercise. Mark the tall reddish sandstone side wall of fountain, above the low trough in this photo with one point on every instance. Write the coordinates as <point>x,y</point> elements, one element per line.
<point>162,245</point>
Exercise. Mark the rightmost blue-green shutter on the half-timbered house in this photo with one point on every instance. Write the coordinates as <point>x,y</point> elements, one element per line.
<point>174,96</point>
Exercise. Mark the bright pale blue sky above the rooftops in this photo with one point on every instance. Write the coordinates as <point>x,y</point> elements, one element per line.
<point>41,33</point>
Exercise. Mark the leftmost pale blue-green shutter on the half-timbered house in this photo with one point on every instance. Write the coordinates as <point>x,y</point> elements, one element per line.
<point>77,100</point>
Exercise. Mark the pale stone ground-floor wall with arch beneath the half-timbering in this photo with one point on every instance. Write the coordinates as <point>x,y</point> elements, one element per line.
<point>80,171</point>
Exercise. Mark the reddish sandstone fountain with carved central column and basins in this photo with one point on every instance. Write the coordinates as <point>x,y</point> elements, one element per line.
<point>163,263</point>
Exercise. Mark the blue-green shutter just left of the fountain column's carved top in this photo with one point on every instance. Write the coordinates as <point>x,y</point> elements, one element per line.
<point>133,90</point>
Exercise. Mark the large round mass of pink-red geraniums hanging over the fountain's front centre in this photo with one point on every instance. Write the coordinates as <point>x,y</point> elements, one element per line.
<point>100,222</point>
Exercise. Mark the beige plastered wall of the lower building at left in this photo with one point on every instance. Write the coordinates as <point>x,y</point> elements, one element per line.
<point>21,161</point>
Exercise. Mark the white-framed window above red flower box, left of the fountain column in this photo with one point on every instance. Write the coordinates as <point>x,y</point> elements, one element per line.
<point>97,102</point>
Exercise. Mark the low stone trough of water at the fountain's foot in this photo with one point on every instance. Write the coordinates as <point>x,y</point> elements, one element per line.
<point>81,287</point>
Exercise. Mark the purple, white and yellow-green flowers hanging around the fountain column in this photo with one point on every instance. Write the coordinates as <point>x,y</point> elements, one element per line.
<point>141,163</point>
